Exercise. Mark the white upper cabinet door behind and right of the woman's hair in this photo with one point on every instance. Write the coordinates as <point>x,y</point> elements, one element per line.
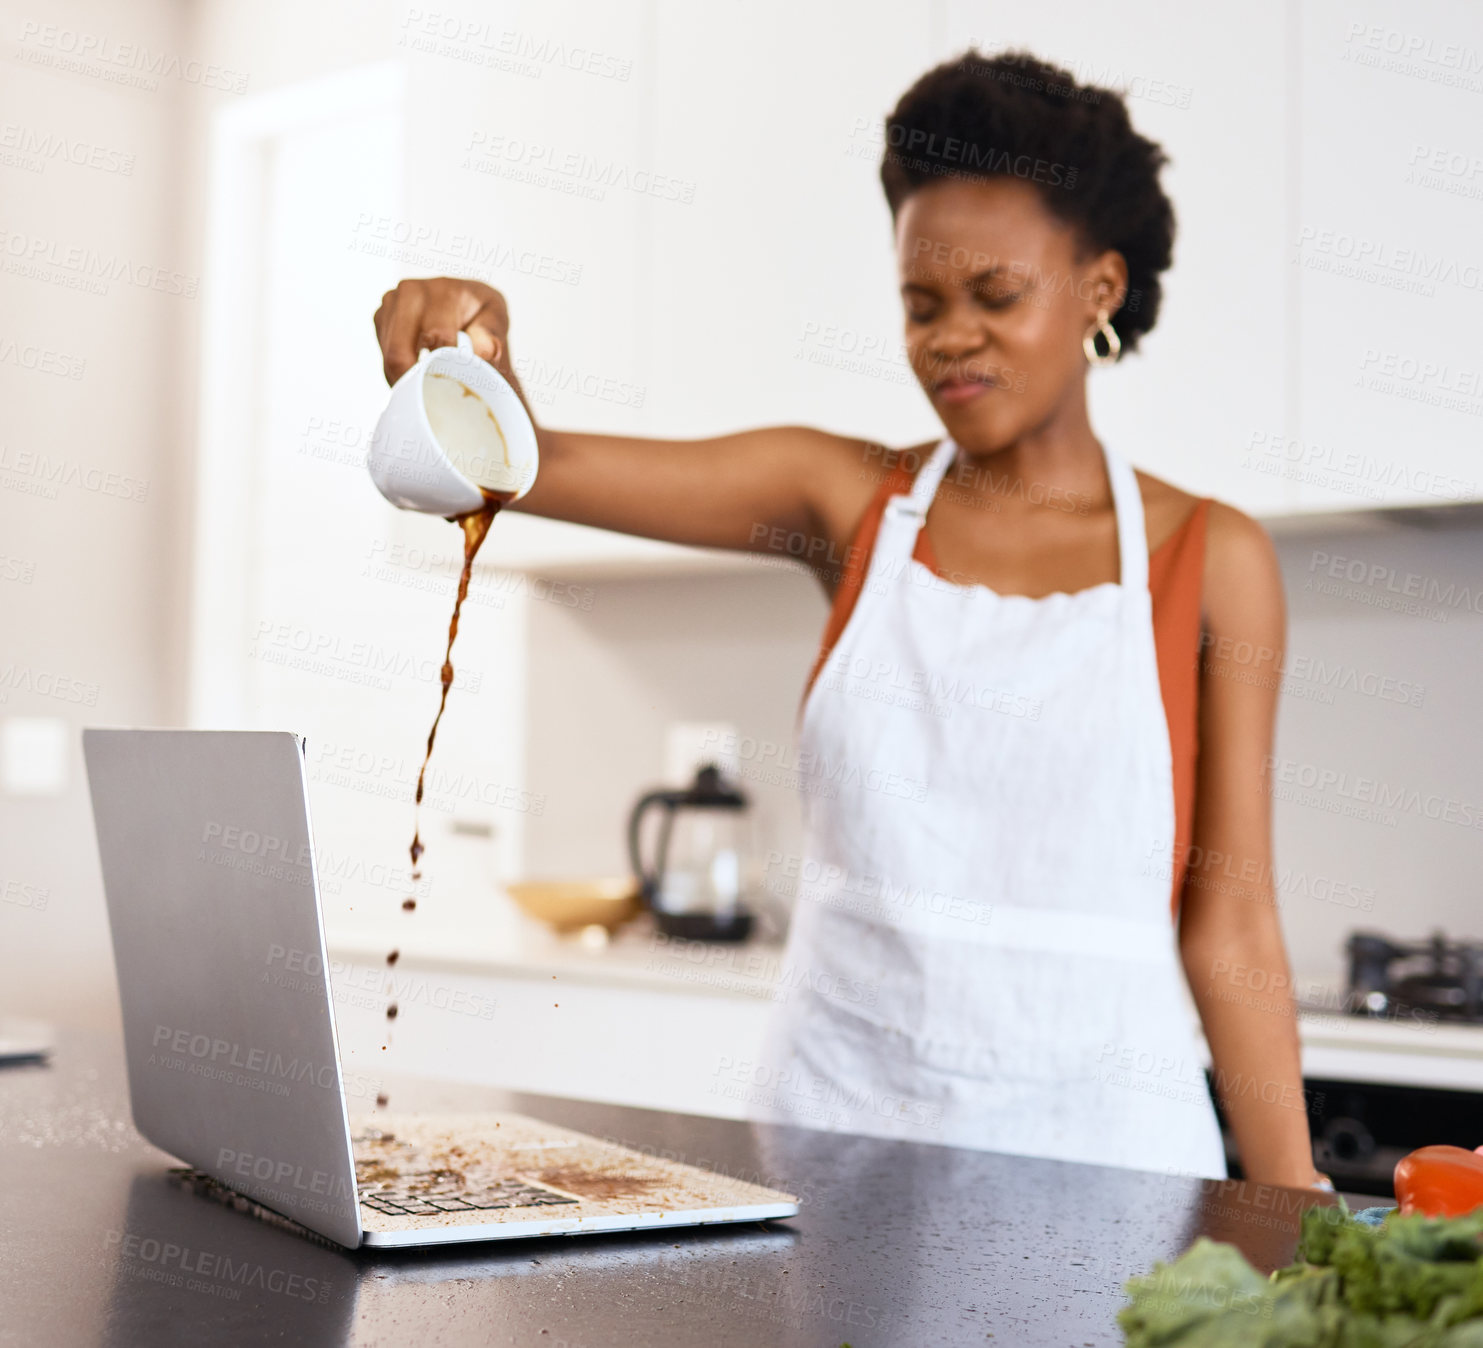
<point>1211,383</point>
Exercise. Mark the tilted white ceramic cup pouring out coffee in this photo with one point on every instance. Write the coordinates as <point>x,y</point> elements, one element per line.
<point>453,426</point>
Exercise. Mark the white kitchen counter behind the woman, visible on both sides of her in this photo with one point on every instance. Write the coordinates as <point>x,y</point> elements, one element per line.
<point>681,1027</point>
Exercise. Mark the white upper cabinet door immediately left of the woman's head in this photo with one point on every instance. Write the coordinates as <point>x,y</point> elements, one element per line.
<point>773,291</point>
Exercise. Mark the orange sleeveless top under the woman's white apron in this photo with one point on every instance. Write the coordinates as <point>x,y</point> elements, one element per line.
<point>1175,581</point>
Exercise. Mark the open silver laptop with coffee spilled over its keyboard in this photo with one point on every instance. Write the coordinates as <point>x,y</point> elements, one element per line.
<point>208,867</point>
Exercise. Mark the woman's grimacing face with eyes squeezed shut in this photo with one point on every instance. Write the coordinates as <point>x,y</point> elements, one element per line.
<point>997,302</point>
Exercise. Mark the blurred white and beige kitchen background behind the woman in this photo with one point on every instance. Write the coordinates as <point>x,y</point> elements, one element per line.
<point>204,202</point>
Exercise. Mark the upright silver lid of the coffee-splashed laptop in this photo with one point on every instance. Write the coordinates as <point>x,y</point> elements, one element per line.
<point>208,868</point>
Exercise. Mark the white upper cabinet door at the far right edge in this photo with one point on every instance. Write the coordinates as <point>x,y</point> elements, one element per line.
<point>1389,253</point>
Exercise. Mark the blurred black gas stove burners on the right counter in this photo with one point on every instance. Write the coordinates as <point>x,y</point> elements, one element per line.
<point>1433,979</point>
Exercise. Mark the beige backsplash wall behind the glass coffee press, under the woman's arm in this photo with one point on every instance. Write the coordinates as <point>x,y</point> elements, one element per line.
<point>649,655</point>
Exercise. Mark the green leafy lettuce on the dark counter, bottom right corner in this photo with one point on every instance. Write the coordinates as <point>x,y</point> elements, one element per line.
<point>1407,1283</point>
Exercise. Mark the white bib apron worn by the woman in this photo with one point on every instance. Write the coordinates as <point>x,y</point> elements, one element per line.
<point>982,951</point>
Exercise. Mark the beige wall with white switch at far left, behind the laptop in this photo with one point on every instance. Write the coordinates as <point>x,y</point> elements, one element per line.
<point>97,288</point>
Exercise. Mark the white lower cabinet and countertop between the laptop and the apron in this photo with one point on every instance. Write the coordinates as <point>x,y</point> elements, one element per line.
<point>635,1025</point>
